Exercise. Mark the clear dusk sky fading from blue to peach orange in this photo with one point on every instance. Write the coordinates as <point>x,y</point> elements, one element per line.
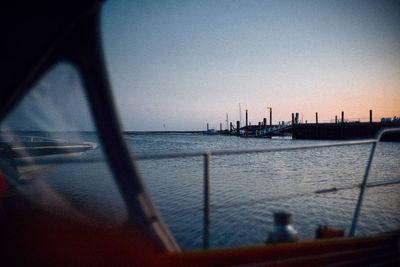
<point>176,65</point>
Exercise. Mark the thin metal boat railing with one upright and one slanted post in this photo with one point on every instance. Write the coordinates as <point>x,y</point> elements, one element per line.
<point>207,157</point>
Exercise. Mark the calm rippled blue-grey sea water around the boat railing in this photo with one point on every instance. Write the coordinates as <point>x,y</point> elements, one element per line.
<point>245,189</point>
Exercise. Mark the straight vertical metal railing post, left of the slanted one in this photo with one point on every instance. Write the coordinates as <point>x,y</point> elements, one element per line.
<point>206,214</point>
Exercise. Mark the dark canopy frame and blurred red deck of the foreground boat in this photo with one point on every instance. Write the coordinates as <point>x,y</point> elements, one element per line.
<point>42,34</point>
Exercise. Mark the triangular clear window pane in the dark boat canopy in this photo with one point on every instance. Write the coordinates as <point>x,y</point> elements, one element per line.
<point>51,154</point>
